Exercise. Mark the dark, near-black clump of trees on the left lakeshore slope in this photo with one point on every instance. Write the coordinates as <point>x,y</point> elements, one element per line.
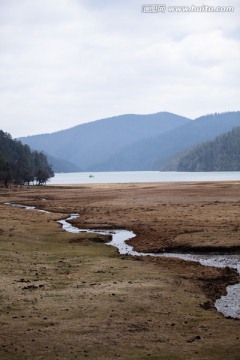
<point>21,165</point>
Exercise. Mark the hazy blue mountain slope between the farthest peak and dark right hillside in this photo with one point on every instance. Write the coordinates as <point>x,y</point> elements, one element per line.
<point>152,153</point>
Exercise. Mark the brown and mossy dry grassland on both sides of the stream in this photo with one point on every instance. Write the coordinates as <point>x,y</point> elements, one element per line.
<point>69,296</point>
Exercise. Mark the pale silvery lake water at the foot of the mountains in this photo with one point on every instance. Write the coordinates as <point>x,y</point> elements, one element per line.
<point>141,176</point>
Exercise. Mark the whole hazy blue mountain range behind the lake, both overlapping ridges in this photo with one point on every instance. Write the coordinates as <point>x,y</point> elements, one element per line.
<point>132,142</point>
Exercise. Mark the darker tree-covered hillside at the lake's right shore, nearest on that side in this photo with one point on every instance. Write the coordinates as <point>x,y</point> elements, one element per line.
<point>221,154</point>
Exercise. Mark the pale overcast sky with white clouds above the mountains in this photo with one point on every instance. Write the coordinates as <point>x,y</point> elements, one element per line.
<point>67,62</point>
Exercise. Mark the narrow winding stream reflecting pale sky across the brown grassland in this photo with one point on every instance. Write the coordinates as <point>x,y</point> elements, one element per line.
<point>228,305</point>
